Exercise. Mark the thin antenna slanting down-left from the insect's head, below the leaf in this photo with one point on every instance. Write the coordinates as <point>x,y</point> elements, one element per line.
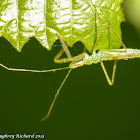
<point>55,97</point>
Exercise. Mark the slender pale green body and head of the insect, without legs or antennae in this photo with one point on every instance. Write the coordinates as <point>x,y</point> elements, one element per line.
<point>106,55</point>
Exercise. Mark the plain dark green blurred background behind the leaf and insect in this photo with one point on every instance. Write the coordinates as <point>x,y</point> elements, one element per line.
<point>87,107</point>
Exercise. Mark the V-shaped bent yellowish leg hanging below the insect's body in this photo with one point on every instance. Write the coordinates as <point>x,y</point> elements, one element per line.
<point>110,82</point>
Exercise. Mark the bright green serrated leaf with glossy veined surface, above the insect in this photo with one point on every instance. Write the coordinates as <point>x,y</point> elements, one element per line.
<point>74,20</point>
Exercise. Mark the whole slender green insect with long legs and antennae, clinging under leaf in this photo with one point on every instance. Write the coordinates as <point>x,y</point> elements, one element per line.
<point>85,59</point>
